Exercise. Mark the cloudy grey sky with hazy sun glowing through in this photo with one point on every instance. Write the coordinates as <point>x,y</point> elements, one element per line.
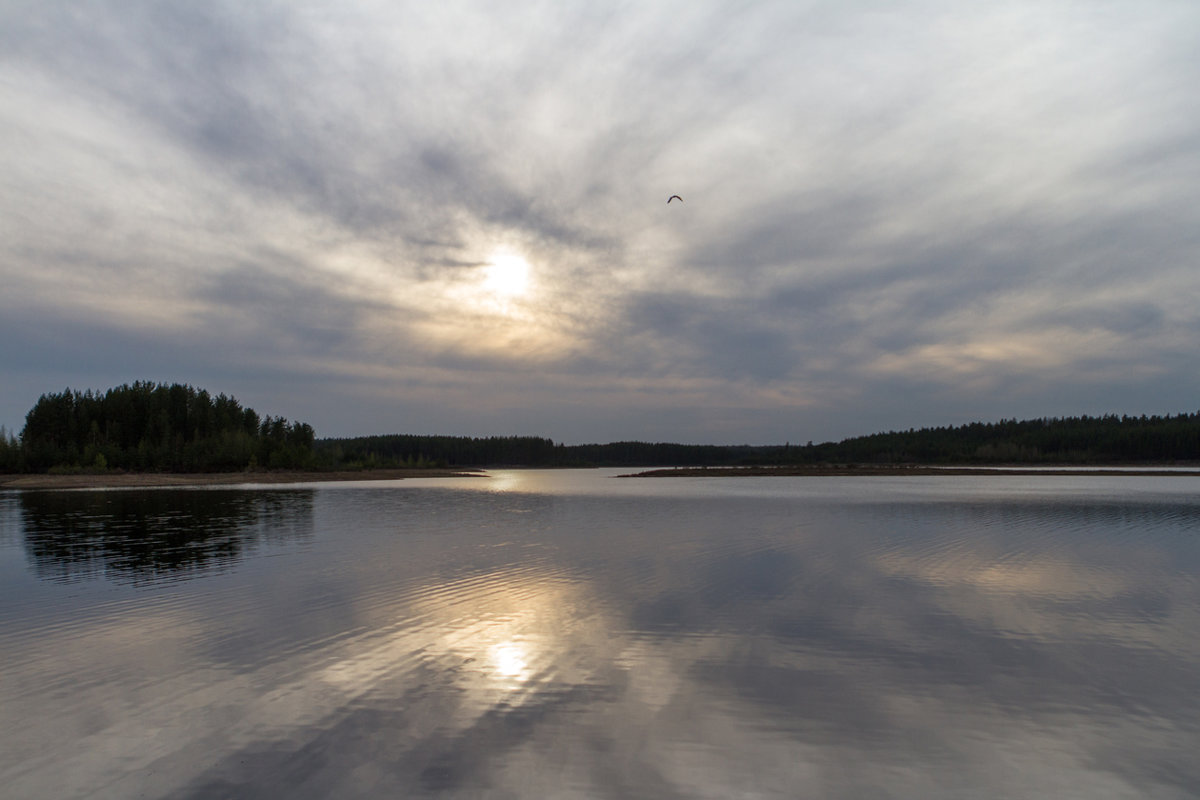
<point>412,218</point>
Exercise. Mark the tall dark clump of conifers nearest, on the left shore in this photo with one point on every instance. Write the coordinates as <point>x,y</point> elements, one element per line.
<point>147,428</point>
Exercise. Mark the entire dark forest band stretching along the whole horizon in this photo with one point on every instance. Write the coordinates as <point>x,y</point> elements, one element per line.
<point>159,428</point>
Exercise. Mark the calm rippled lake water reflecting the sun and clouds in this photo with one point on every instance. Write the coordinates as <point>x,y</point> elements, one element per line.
<point>572,635</point>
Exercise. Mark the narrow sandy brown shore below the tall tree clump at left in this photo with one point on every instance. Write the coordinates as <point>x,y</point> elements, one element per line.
<point>141,480</point>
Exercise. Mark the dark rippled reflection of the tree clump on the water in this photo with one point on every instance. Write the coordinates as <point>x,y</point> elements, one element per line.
<point>148,537</point>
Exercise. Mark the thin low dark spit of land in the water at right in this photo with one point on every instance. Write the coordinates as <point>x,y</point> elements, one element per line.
<point>874,471</point>
